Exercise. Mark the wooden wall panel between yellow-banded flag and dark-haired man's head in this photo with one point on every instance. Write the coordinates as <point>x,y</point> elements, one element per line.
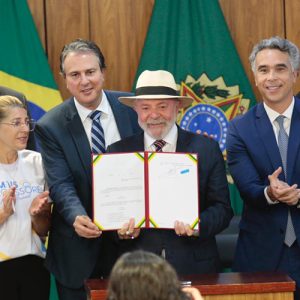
<point>65,21</point>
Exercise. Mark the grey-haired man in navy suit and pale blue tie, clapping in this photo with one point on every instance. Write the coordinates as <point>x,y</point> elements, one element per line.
<point>263,150</point>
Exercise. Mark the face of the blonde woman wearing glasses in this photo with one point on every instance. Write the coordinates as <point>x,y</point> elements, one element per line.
<point>14,138</point>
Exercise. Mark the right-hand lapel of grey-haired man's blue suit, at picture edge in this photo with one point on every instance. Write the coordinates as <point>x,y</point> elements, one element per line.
<point>294,140</point>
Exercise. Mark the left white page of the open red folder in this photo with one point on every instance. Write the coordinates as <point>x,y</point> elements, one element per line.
<point>118,189</point>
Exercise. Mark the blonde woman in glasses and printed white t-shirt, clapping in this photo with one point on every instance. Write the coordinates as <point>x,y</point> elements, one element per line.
<point>24,208</point>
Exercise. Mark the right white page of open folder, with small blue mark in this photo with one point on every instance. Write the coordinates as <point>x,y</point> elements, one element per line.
<point>173,189</point>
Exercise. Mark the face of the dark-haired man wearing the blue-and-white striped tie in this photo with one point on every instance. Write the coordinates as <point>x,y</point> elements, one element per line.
<point>84,78</point>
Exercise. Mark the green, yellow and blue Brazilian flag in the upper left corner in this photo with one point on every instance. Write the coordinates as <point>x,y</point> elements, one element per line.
<point>23,63</point>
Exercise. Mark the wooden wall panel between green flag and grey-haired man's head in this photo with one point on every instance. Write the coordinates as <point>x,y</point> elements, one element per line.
<point>249,22</point>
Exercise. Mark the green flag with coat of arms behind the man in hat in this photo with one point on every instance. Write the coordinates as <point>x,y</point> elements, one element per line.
<point>191,40</point>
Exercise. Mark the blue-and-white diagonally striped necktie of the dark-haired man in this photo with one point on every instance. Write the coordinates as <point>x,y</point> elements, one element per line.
<point>97,133</point>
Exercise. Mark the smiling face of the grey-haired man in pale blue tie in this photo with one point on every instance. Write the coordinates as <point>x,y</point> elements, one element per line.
<point>275,78</point>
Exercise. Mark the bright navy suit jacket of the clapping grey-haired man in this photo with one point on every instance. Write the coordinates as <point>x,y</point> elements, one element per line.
<point>253,154</point>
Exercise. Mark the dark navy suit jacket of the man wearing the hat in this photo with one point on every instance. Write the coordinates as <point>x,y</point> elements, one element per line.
<point>189,255</point>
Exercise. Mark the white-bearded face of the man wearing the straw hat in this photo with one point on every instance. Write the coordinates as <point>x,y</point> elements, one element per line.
<point>157,117</point>
